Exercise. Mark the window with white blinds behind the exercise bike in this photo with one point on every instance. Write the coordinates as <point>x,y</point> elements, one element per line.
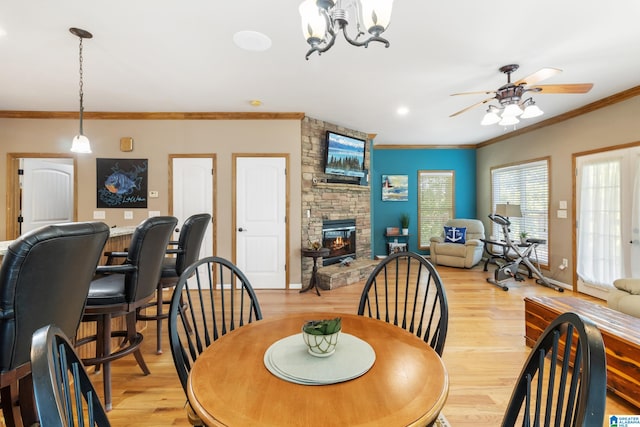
<point>527,185</point>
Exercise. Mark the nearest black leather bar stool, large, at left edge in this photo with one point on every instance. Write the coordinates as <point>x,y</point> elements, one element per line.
<point>44,279</point>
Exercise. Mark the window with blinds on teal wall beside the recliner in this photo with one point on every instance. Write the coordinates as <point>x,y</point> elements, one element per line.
<point>435,203</point>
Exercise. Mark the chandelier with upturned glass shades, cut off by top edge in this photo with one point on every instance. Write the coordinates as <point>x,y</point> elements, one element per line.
<point>322,20</point>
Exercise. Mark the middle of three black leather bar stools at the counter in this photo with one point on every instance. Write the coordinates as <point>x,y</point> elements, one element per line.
<point>119,291</point>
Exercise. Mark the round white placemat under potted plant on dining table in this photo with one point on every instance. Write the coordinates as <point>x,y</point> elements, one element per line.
<point>289,360</point>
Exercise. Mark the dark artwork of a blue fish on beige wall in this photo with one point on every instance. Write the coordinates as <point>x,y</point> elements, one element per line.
<point>121,183</point>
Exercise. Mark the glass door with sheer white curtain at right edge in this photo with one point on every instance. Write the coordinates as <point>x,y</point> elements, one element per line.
<point>608,219</point>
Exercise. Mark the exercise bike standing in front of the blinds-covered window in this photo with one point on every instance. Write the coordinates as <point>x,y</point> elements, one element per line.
<point>516,255</point>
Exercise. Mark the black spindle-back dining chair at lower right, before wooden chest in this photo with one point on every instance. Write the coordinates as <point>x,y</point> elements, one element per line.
<point>564,380</point>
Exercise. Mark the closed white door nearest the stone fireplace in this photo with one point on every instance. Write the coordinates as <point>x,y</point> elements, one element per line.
<point>261,220</point>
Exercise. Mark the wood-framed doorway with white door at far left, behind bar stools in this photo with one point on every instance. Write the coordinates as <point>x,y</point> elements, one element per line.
<point>48,192</point>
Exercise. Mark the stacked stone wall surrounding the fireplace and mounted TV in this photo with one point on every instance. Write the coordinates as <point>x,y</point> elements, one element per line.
<point>328,200</point>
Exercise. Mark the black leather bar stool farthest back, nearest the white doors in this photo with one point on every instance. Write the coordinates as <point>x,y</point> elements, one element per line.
<point>181,254</point>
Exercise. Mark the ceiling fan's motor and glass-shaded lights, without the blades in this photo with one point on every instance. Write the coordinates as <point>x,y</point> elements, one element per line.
<point>511,106</point>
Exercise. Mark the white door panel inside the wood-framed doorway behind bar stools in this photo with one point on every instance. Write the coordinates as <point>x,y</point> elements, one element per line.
<point>47,192</point>
